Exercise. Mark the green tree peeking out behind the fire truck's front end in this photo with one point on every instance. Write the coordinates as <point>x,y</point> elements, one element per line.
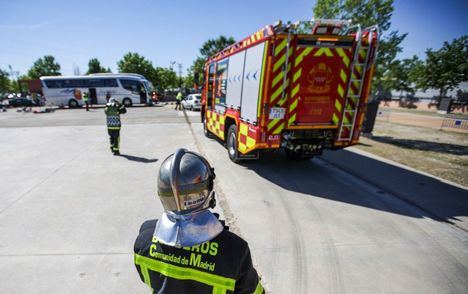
<point>209,48</point>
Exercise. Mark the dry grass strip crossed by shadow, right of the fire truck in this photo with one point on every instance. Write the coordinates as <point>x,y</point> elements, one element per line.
<point>440,153</point>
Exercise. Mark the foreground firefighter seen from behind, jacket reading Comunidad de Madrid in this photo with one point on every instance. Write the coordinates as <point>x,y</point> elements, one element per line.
<point>188,250</point>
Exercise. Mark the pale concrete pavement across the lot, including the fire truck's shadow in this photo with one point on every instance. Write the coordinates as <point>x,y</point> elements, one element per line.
<point>70,211</point>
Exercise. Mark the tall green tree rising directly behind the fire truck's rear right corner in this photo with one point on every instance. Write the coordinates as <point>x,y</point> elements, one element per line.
<point>368,13</point>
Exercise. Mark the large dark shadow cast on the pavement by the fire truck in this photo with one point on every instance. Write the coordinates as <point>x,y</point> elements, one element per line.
<point>434,198</point>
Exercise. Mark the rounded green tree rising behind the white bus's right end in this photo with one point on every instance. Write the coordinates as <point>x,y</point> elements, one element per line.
<point>135,63</point>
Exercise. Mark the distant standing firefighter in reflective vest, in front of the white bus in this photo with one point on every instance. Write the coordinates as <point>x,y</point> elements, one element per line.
<point>113,110</point>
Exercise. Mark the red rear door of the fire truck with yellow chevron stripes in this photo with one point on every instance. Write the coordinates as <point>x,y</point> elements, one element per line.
<point>319,81</point>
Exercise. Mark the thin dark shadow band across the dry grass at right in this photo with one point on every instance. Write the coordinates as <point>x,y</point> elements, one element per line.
<point>423,145</point>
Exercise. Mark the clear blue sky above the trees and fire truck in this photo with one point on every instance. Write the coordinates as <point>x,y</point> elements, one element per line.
<point>165,31</point>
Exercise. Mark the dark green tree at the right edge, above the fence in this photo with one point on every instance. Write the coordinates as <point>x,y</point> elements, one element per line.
<point>447,67</point>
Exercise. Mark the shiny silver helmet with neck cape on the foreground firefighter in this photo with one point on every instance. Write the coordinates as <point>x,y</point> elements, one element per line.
<point>185,188</point>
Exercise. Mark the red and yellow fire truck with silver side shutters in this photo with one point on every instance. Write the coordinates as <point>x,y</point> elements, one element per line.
<point>301,86</point>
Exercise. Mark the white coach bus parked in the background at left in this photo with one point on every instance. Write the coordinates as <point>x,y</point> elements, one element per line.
<point>126,88</point>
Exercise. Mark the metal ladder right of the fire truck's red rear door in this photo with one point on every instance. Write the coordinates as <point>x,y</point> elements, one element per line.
<point>351,105</point>
